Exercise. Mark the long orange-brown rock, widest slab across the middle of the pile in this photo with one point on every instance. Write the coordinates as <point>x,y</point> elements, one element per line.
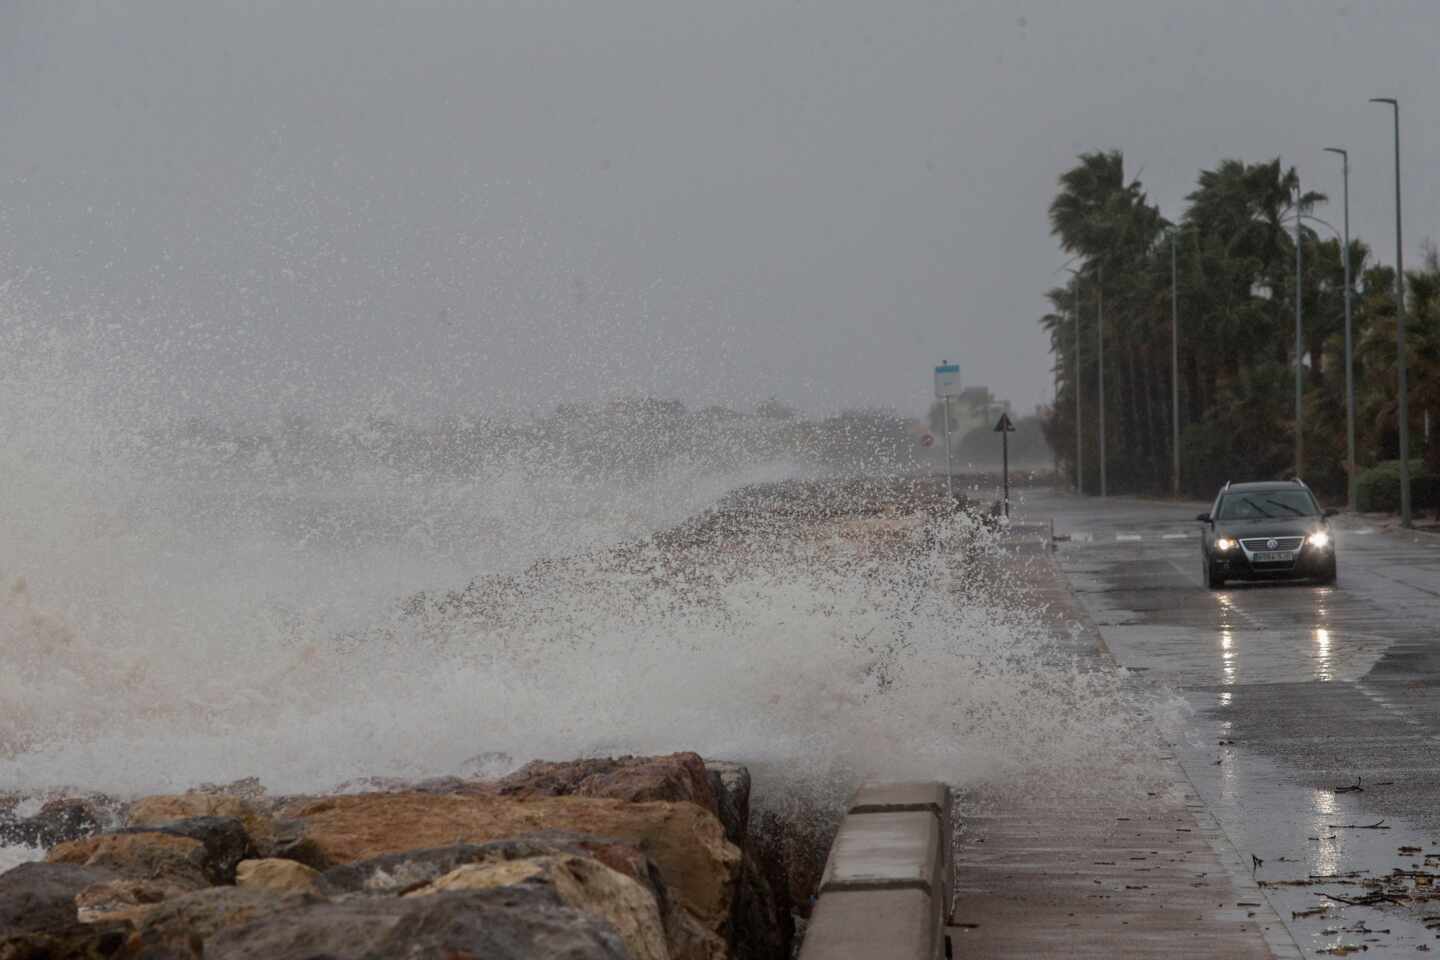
<point>685,841</point>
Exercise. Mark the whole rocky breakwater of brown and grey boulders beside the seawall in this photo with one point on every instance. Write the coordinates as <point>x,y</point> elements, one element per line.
<point>647,859</point>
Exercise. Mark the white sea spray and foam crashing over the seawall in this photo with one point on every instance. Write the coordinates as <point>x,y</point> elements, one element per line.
<point>182,610</point>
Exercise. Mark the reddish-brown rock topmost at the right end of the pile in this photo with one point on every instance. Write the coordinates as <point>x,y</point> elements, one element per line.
<point>679,776</point>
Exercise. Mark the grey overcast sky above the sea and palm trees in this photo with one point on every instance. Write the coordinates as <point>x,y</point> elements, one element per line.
<point>515,204</point>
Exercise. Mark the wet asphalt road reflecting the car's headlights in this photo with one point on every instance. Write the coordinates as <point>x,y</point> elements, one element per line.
<point>1314,713</point>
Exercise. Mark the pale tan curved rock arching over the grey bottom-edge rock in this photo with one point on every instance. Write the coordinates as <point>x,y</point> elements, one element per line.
<point>581,883</point>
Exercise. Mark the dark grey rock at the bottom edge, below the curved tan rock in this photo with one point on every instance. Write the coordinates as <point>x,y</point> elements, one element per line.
<point>509,923</point>
